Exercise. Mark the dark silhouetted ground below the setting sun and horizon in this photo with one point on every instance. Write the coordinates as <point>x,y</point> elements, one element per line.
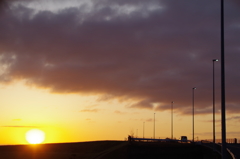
<point>107,150</point>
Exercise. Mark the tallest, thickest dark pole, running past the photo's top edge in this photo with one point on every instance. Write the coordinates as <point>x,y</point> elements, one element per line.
<point>223,119</point>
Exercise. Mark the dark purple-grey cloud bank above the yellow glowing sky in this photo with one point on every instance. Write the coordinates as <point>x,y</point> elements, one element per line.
<point>155,52</point>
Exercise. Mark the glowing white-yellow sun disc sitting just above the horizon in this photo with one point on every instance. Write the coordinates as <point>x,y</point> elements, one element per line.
<point>35,136</point>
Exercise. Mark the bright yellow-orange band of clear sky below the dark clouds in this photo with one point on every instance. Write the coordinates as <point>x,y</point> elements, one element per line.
<point>75,118</point>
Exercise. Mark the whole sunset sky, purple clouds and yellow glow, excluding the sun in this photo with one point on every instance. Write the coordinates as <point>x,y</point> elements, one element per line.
<point>85,70</point>
